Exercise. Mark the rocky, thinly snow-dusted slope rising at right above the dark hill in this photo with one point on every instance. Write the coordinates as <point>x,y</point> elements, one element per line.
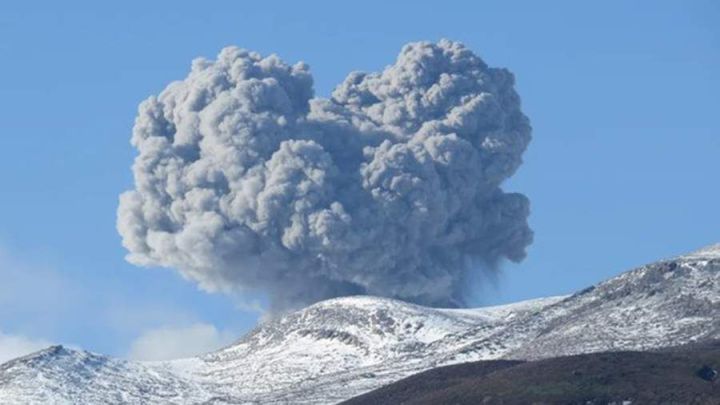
<point>662,304</point>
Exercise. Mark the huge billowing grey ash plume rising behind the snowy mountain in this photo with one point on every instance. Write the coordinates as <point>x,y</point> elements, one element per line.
<point>246,182</point>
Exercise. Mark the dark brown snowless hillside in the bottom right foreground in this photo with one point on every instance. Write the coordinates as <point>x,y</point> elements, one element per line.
<point>684,375</point>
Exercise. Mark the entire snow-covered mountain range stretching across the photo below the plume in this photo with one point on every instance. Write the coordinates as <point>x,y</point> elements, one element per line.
<point>339,348</point>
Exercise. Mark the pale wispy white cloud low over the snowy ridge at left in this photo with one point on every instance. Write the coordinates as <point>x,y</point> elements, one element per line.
<point>42,304</point>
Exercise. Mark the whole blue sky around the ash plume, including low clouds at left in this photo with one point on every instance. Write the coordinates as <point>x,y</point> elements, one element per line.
<point>624,99</point>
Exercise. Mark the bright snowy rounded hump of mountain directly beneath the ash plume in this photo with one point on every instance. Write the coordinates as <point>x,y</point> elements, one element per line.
<point>354,342</point>
